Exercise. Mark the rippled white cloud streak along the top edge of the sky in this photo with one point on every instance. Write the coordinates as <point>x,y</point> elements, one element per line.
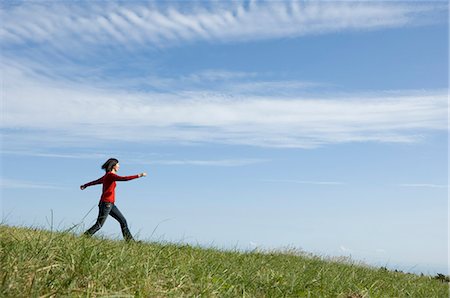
<point>65,25</point>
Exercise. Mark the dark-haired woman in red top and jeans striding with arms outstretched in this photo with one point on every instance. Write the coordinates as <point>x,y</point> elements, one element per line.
<point>106,205</point>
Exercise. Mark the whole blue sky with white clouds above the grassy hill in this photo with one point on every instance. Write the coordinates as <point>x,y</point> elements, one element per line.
<point>315,125</point>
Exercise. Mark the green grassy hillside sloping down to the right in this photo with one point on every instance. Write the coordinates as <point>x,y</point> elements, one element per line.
<point>37,263</point>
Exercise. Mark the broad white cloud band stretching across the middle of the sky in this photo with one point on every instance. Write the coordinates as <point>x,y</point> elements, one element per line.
<point>39,109</point>
